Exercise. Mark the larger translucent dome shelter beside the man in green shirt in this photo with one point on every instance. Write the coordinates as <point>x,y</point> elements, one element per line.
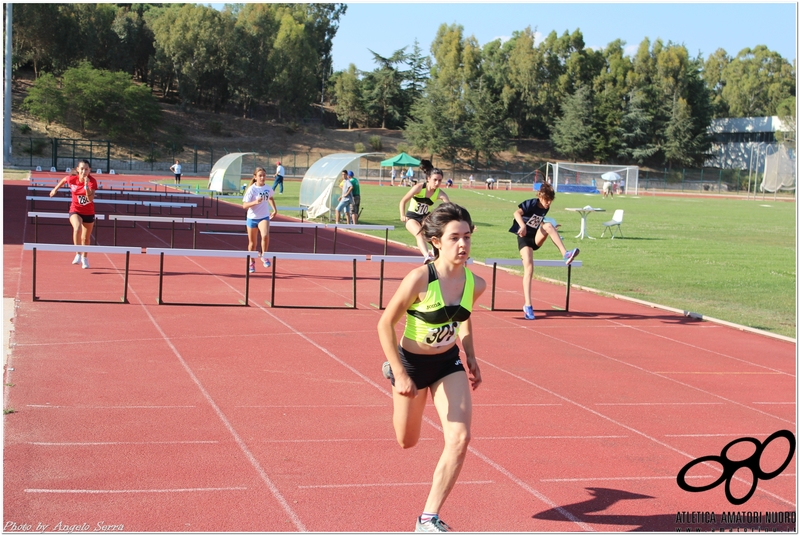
<point>320,181</point>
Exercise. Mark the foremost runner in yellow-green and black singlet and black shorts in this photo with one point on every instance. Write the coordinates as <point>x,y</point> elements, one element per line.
<point>436,301</point>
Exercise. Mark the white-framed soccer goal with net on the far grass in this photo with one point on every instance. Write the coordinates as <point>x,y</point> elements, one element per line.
<point>588,177</point>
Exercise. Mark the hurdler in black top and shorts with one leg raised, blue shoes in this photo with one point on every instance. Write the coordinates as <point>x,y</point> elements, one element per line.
<point>532,231</point>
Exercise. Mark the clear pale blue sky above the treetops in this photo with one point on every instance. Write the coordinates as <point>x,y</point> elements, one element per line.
<point>701,28</point>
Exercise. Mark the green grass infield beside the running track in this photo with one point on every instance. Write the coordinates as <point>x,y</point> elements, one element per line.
<point>730,259</point>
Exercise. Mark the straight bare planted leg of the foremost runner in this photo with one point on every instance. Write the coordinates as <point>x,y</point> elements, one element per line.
<point>454,406</point>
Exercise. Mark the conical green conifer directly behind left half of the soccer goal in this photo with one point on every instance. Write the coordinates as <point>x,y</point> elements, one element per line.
<point>573,134</point>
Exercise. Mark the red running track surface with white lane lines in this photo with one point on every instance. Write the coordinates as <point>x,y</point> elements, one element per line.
<point>190,418</point>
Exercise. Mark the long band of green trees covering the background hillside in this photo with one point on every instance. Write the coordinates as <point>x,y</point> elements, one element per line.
<point>110,70</point>
